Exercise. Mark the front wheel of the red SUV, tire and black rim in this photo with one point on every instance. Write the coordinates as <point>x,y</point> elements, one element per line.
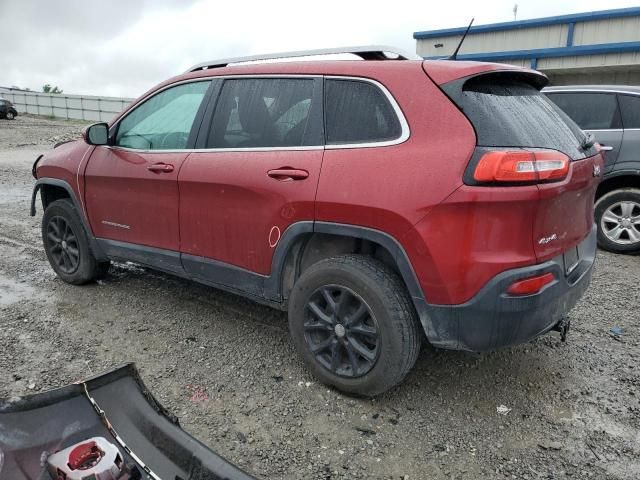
<point>67,246</point>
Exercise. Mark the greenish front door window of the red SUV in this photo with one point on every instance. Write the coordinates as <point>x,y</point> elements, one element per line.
<point>164,121</point>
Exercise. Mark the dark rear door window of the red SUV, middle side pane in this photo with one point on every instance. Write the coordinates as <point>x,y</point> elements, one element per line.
<point>263,112</point>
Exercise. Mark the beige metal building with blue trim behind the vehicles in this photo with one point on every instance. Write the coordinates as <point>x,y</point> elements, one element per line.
<point>600,47</point>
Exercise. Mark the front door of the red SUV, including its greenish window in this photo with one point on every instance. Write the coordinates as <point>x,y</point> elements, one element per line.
<point>131,191</point>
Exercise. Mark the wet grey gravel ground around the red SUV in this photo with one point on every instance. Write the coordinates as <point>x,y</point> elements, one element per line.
<point>227,369</point>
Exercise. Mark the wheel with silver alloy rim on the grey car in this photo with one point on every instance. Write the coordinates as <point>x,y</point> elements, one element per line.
<point>616,214</point>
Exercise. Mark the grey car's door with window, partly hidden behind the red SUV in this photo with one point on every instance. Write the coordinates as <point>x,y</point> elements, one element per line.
<point>597,113</point>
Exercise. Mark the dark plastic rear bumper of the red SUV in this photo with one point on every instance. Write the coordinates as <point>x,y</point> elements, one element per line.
<point>492,319</point>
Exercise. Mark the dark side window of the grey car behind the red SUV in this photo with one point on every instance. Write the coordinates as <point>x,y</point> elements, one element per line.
<point>591,111</point>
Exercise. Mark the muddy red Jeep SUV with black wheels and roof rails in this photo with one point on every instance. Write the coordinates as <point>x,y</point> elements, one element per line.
<point>378,201</point>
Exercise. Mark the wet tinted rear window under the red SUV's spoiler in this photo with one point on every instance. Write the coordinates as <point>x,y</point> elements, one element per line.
<point>507,111</point>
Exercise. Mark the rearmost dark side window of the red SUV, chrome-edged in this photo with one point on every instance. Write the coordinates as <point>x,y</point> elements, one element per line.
<point>358,112</point>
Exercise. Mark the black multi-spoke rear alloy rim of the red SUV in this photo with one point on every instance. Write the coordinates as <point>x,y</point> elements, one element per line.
<point>341,331</point>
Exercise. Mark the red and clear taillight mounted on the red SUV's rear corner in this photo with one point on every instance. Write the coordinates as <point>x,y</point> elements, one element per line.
<point>521,166</point>
